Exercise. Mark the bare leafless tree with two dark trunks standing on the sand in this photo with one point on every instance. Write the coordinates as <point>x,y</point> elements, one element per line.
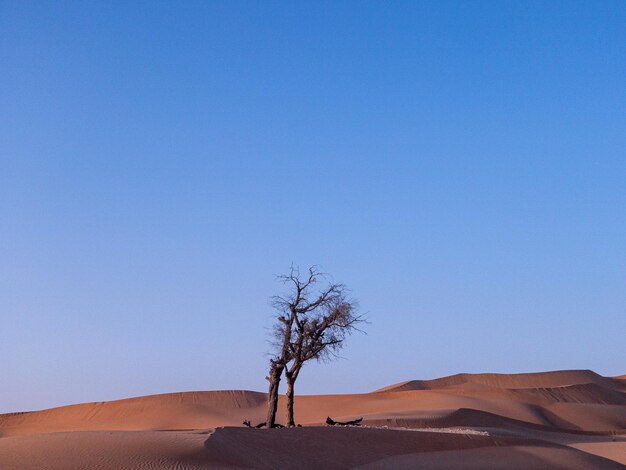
<point>312,324</point>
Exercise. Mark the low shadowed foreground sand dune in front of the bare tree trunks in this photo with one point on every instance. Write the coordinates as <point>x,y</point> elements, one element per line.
<point>307,448</point>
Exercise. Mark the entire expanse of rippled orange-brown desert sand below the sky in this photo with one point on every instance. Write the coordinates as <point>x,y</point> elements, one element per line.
<point>550,420</point>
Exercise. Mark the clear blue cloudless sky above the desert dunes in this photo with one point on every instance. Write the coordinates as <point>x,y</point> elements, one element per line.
<point>461,166</point>
